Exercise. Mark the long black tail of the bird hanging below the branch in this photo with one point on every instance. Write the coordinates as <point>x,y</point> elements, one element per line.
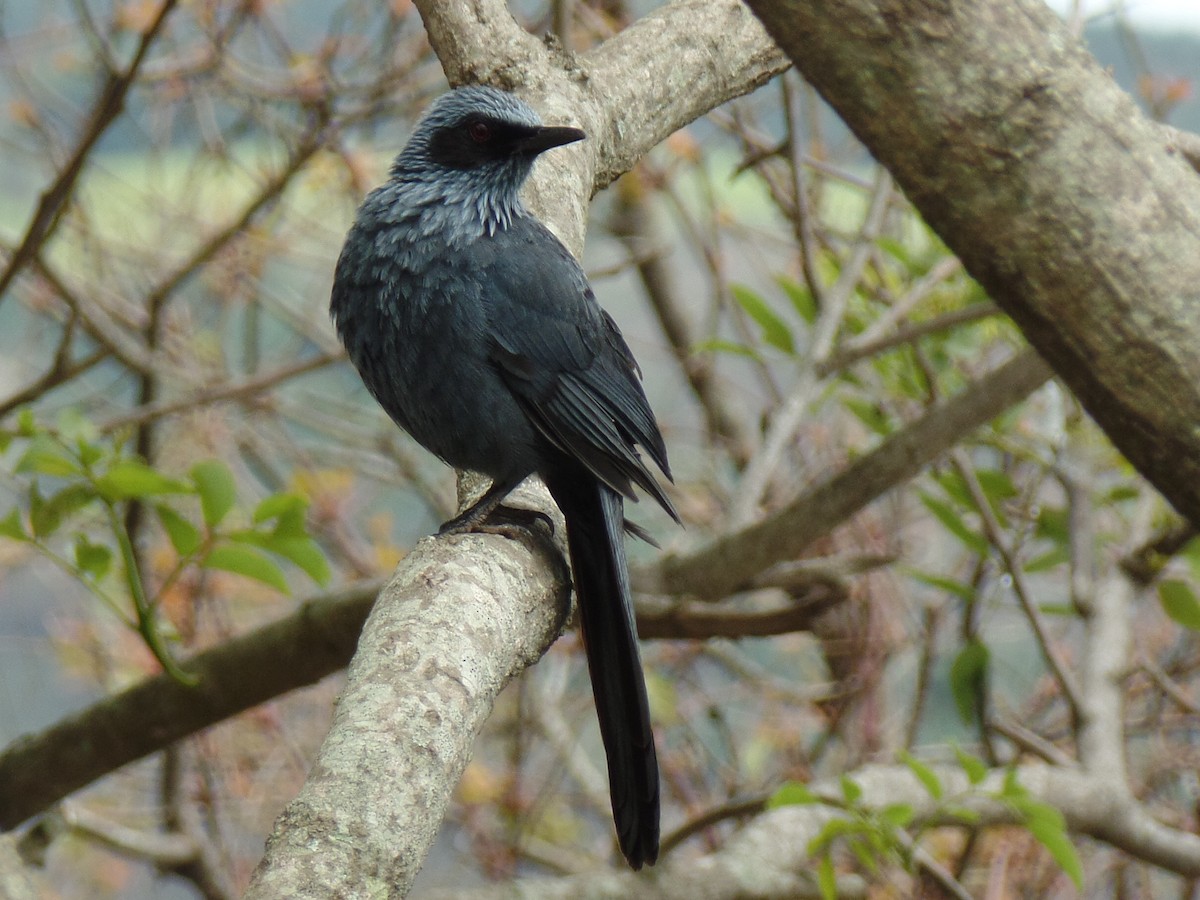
<point>595,518</point>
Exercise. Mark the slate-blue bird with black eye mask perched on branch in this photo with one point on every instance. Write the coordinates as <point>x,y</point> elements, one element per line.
<point>477,332</point>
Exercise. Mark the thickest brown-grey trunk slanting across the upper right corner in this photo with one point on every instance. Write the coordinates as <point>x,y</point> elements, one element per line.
<point>1060,197</point>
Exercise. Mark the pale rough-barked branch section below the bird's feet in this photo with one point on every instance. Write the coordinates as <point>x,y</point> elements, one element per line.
<point>461,619</point>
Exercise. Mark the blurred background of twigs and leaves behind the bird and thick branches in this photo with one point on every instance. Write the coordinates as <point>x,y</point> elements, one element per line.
<point>185,449</point>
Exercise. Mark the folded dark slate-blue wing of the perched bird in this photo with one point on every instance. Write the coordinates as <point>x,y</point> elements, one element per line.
<point>566,361</point>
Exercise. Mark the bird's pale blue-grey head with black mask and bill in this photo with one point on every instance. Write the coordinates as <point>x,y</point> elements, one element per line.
<point>479,141</point>
